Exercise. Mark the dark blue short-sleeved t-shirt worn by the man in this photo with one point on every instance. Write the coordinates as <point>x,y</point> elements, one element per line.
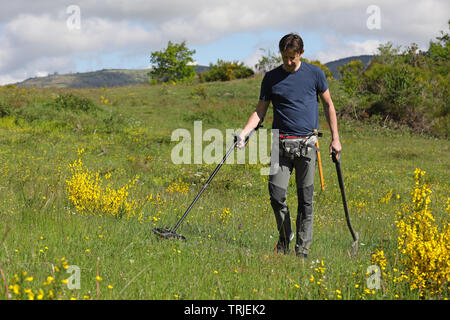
<point>294,98</point>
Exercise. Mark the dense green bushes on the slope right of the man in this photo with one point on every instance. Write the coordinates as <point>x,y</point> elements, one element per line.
<point>408,87</point>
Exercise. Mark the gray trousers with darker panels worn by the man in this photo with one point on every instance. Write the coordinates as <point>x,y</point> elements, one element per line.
<point>278,184</point>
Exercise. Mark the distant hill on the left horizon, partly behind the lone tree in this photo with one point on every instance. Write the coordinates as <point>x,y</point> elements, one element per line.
<point>94,79</point>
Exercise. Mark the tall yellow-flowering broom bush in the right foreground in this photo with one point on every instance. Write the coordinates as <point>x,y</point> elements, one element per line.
<point>425,251</point>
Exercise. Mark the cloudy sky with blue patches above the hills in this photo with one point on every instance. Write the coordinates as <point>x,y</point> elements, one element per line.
<point>38,38</point>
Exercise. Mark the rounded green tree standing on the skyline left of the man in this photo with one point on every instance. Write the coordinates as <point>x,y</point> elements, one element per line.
<point>172,64</point>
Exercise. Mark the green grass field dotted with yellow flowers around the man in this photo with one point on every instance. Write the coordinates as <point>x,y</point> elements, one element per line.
<point>125,150</point>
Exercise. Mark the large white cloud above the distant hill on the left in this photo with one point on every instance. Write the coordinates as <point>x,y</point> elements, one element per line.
<point>34,45</point>
